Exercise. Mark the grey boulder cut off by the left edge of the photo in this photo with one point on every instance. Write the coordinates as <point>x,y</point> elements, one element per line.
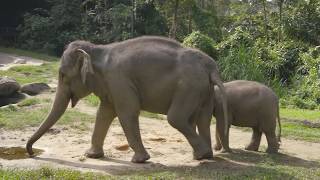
<point>8,86</point>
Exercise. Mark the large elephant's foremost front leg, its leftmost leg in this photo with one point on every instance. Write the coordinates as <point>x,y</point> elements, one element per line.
<point>105,116</point>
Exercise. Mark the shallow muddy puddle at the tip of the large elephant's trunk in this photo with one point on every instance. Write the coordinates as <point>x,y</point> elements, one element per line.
<point>11,153</point>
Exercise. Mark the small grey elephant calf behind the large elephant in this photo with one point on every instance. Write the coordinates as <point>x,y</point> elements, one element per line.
<point>250,104</point>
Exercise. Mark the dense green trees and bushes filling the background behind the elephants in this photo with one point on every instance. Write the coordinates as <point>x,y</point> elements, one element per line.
<point>275,42</point>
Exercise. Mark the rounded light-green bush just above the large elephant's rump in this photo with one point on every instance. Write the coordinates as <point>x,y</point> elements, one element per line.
<point>200,41</point>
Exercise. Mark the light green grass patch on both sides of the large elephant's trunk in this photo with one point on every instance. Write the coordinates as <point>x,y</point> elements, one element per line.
<point>13,117</point>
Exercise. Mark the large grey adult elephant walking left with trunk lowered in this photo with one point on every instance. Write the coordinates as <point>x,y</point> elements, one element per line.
<point>147,73</point>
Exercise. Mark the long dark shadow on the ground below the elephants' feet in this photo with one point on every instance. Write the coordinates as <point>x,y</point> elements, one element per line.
<point>238,164</point>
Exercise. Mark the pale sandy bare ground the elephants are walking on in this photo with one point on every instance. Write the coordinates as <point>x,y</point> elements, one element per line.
<point>64,147</point>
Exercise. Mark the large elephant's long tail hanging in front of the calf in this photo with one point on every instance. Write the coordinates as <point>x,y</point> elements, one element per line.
<point>216,80</point>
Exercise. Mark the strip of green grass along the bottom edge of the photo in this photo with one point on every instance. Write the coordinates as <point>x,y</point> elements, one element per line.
<point>239,165</point>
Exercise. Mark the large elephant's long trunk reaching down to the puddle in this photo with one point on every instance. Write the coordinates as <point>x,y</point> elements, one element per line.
<point>59,106</point>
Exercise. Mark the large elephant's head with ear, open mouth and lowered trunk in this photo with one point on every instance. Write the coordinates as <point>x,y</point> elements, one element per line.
<point>73,76</point>
